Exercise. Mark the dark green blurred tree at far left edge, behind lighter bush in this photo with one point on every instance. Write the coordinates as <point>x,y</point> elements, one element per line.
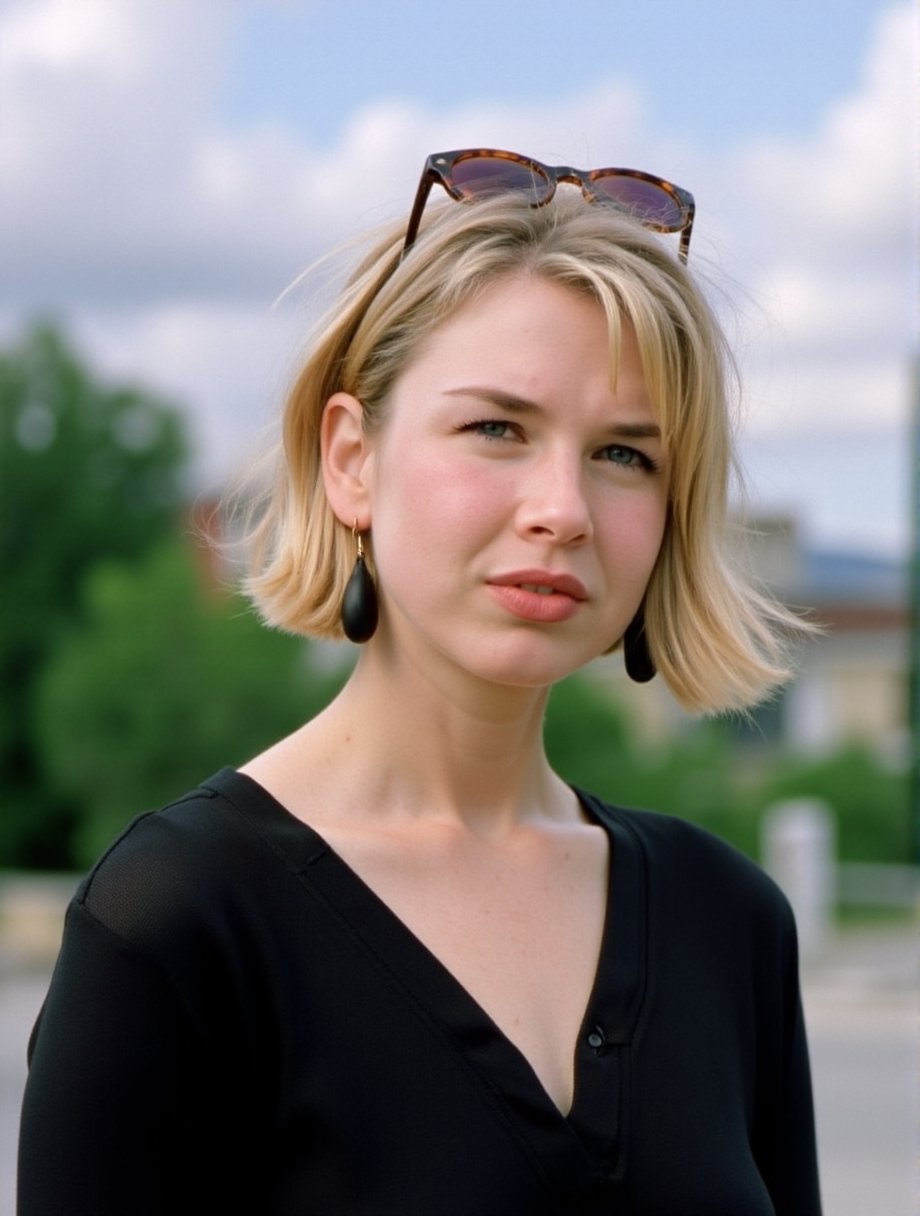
<point>87,471</point>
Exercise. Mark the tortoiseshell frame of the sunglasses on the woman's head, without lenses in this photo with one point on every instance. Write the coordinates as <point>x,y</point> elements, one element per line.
<point>439,167</point>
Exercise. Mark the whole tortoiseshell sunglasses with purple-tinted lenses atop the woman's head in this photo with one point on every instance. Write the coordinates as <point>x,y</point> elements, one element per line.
<point>471,173</point>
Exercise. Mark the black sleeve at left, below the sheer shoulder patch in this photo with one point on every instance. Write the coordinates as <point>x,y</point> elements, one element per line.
<point>110,1113</point>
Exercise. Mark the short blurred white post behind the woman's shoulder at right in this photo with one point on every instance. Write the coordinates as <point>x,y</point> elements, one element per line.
<point>799,852</point>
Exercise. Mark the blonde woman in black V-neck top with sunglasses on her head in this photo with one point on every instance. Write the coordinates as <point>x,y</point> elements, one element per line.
<point>396,966</point>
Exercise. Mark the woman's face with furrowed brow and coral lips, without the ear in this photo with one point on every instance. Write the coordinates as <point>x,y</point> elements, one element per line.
<point>517,502</point>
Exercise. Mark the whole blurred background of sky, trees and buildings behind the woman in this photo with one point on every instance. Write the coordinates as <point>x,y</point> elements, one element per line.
<point>171,167</point>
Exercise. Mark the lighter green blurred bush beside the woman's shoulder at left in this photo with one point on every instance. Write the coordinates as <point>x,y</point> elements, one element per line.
<point>162,683</point>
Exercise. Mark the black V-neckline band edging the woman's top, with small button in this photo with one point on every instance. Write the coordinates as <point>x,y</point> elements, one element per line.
<point>612,1012</point>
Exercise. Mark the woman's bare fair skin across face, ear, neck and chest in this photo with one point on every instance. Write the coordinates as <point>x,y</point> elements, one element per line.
<point>516,504</point>
